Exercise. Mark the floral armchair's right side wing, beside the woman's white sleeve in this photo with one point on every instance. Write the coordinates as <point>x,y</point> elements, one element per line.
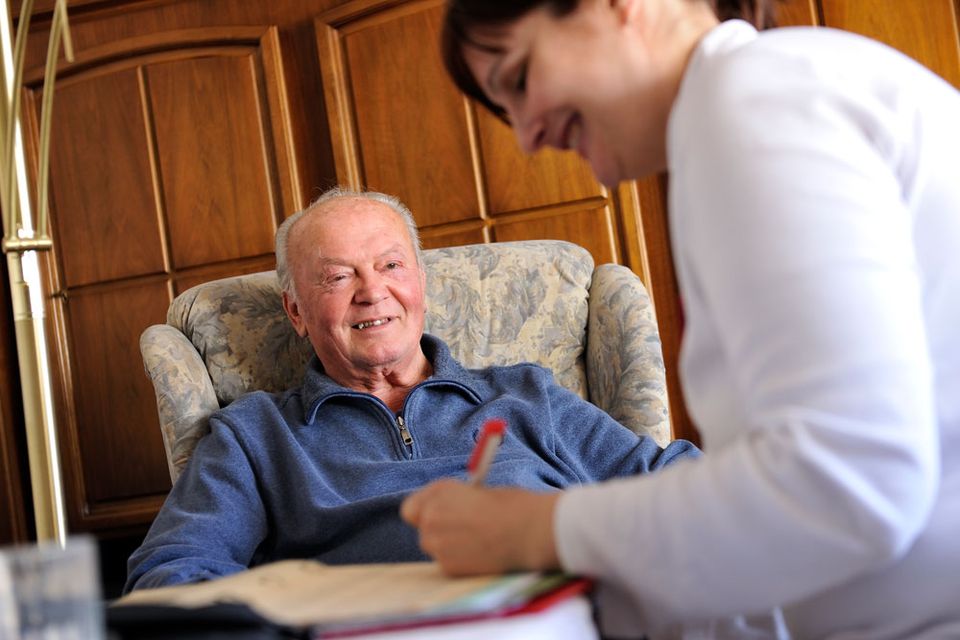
<point>625,370</point>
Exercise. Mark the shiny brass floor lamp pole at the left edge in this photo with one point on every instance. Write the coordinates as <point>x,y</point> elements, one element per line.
<point>22,239</point>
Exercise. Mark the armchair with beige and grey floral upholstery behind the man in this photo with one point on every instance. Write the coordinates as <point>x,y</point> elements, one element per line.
<point>538,301</point>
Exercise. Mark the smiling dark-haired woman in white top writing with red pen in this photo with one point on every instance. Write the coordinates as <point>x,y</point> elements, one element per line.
<point>815,224</point>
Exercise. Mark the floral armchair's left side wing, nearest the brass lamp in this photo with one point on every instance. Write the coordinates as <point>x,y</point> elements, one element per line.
<point>185,397</point>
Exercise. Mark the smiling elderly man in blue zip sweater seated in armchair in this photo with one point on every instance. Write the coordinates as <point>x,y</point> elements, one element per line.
<point>320,471</point>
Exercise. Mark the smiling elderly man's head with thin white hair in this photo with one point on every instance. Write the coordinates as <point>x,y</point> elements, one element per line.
<point>360,292</point>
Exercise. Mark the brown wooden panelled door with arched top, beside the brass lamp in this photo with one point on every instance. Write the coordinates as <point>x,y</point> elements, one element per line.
<point>173,166</point>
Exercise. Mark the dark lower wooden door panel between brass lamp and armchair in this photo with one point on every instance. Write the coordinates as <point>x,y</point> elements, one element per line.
<point>114,452</point>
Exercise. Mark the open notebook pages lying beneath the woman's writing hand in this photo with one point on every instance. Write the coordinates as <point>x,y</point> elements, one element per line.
<point>345,599</point>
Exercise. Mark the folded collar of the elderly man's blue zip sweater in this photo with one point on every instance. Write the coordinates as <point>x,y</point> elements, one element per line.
<point>318,386</point>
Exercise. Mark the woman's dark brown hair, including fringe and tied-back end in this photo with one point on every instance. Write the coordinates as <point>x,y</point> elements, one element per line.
<point>464,19</point>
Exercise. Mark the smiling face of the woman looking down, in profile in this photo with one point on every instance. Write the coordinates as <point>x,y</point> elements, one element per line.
<point>600,80</point>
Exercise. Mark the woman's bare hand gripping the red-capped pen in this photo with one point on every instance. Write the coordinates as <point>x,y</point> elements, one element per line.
<point>475,530</point>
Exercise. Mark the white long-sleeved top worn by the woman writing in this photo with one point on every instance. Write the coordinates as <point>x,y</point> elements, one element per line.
<point>815,221</point>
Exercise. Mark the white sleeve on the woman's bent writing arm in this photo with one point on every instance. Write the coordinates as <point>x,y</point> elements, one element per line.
<point>797,262</point>
